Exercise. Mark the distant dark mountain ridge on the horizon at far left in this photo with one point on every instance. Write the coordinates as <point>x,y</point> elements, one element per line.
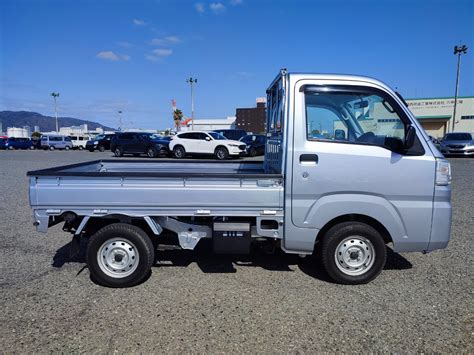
<point>45,123</point>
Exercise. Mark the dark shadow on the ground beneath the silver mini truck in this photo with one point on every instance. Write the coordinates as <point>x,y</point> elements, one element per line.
<point>210,262</point>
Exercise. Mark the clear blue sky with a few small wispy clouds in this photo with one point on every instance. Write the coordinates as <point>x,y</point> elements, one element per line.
<point>135,56</point>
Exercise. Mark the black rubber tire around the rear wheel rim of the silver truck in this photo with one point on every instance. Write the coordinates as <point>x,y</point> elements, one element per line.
<point>124,233</point>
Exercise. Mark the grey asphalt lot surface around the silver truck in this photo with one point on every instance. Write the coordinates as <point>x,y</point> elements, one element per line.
<point>197,302</point>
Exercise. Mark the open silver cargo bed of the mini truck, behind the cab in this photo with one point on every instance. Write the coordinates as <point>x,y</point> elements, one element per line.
<point>160,187</point>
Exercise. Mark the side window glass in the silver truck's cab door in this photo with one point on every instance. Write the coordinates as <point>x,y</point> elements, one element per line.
<point>358,117</point>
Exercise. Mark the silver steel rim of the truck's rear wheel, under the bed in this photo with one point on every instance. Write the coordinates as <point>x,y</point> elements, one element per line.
<point>118,258</point>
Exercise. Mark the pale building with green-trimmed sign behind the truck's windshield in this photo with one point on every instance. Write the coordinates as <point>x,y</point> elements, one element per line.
<point>436,114</point>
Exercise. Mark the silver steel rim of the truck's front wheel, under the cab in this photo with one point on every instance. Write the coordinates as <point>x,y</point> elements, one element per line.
<point>355,255</point>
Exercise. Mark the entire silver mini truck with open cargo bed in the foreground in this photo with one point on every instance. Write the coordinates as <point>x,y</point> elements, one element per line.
<point>347,170</point>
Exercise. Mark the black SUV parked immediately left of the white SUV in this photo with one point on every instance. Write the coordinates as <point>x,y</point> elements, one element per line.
<point>138,143</point>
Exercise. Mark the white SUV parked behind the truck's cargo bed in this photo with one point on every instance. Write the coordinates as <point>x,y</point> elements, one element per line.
<point>199,142</point>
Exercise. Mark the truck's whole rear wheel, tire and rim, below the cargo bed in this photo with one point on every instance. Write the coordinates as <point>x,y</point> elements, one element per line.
<point>120,255</point>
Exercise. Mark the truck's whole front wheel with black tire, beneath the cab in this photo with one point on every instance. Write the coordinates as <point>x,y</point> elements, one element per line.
<point>359,236</point>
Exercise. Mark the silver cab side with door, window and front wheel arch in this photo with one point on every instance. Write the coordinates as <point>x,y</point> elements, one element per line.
<point>349,159</point>
